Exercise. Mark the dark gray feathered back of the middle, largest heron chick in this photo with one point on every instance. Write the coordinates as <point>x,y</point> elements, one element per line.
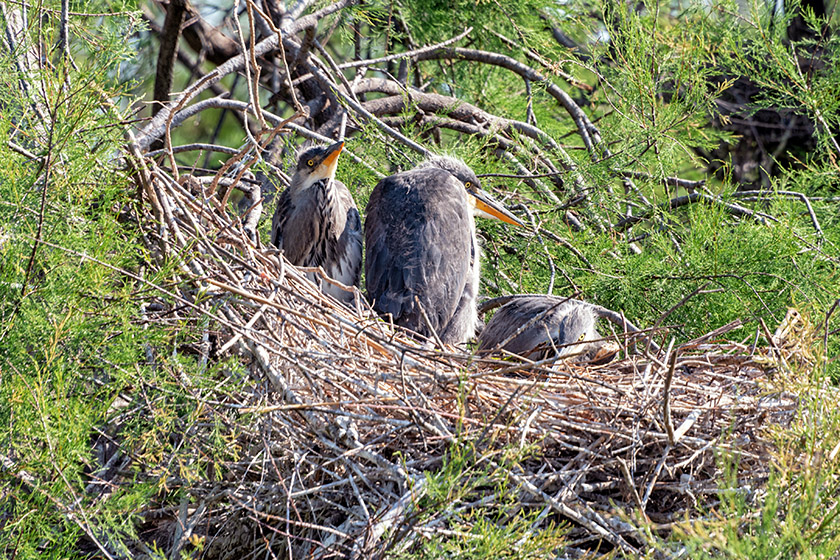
<point>418,240</point>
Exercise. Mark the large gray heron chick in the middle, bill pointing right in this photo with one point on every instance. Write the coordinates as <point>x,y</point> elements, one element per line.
<point>421,251</point>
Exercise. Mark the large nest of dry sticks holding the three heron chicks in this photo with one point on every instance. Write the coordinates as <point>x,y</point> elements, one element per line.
<point>342,420</point>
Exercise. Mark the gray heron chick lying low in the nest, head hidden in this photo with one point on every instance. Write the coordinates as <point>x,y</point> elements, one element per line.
<point>538,327</point>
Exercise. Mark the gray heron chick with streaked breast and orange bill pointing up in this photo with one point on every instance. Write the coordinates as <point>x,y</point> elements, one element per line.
<point>316,222</point>
